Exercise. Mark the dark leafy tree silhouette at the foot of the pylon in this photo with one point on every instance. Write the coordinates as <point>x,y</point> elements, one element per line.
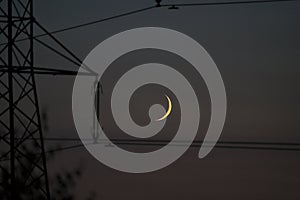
<point>62,184</point>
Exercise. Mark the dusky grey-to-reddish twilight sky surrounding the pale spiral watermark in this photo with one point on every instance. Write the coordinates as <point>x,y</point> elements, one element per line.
<point>256,48</point>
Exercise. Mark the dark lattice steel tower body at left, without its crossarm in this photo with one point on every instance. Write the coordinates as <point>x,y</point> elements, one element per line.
<point>23,162</point>
